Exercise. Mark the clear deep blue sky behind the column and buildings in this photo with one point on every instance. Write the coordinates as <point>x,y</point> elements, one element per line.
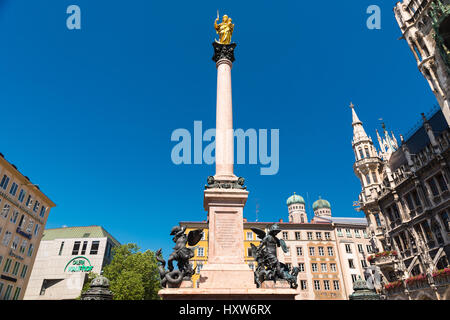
<point>88,114</point>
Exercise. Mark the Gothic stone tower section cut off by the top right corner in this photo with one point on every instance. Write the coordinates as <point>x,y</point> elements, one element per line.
<point>425,25</point>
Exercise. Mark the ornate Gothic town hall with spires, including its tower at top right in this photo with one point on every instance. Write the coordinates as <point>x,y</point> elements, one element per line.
<point>405,184</point>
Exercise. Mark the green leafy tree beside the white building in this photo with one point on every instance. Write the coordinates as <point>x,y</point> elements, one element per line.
<point>133,274</point>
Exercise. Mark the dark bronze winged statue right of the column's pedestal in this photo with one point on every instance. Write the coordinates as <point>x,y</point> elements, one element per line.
<point>269,268</point>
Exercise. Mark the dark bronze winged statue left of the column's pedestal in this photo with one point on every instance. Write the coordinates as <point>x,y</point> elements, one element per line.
<point>181,254</point>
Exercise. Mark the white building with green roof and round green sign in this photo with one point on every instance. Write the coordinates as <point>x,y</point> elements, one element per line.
<point>64,259</point>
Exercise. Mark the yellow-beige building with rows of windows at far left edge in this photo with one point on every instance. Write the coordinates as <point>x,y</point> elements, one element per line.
<point>24,210</point>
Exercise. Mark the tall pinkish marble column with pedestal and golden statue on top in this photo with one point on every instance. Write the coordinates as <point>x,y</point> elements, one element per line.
<point>225,195</point>
